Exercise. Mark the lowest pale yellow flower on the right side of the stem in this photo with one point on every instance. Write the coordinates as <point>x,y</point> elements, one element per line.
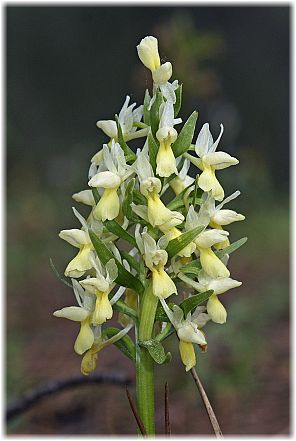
<point>188,332</point>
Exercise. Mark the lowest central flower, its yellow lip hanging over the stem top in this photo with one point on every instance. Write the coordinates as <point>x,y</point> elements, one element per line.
<point>155,259</point>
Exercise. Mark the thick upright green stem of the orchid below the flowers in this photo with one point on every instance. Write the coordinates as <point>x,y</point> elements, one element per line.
<point>144,362</point>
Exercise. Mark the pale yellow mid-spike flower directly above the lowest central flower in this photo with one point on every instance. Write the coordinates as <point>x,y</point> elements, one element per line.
<point>157,213</point>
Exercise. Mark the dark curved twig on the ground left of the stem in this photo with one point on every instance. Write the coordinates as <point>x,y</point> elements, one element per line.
<point>45,390</point>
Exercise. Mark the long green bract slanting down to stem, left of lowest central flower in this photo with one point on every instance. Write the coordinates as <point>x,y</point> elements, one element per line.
<point>124,277</point>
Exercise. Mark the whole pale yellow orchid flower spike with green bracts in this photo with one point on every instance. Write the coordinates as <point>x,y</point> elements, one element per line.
<point>153,250</point>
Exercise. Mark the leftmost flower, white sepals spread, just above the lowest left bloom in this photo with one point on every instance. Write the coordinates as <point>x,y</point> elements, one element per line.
<point>82,314</point>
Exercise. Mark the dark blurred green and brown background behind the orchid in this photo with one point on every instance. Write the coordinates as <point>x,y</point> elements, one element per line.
<point>66,68</point>
